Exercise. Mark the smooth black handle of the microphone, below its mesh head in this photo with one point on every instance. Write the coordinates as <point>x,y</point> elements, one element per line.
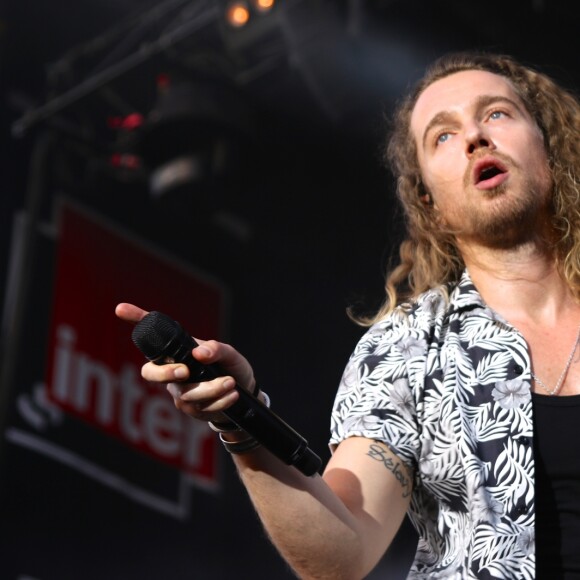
<point>248,412</point>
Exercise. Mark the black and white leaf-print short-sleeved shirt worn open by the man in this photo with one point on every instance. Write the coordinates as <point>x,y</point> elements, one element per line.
<point>446,384</point>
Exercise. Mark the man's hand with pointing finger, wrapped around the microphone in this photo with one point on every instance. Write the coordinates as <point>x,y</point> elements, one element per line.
<point>207,400</point>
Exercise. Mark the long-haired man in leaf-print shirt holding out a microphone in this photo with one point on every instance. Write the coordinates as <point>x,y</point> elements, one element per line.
<point>455,406</point>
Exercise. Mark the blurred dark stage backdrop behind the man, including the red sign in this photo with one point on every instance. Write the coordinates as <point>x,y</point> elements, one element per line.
<point>221,161</point>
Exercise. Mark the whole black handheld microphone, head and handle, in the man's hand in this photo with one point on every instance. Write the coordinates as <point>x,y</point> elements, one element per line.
<point>163,340</point>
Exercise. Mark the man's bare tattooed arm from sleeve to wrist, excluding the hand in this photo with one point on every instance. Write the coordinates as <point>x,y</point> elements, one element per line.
<point>335,526</point>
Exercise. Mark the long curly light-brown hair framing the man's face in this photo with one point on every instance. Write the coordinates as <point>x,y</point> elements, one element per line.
<point>429,256</point>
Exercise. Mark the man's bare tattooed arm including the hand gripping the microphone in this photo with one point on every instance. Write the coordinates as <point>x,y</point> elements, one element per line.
<point>334,526</point>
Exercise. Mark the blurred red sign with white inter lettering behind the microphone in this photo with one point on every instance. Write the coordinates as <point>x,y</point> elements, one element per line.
<point>93,369</point>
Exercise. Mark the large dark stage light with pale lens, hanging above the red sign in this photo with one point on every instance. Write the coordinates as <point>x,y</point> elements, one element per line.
<point>192,139</point>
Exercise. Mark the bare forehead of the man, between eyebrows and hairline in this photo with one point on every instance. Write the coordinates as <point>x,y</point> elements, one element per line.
<point>456,93</point>
